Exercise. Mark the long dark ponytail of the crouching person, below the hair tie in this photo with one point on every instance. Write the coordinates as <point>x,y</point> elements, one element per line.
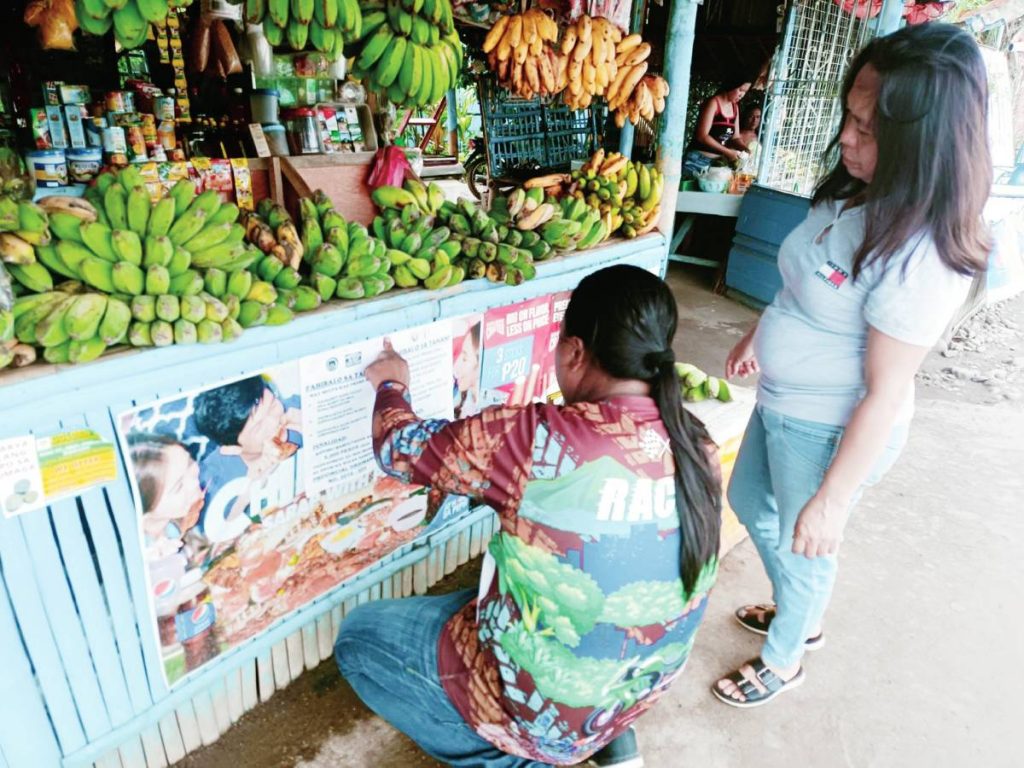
<point>699,490</point>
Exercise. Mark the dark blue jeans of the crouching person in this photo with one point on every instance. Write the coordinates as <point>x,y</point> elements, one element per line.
<point>388,652</point>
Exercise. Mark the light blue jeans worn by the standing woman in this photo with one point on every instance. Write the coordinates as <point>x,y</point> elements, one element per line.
<point>781,465</point>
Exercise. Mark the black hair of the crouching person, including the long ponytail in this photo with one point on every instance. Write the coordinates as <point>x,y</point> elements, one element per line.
<point>627,320</point>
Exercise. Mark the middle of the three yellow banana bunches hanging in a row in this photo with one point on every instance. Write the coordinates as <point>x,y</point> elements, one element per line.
<point>590,47</point>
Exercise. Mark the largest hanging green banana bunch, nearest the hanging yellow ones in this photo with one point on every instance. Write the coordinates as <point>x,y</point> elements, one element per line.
<point>409,51</point>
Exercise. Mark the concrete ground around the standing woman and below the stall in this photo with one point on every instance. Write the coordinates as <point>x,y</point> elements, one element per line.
<point>924,634</point>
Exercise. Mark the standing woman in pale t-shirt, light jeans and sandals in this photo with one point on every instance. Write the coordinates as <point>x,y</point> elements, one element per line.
<point>871,281</point>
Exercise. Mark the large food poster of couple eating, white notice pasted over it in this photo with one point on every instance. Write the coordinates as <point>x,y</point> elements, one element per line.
<point>260,494</point>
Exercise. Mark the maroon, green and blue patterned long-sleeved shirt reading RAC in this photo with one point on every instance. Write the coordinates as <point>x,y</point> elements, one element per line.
<point>584,621</point>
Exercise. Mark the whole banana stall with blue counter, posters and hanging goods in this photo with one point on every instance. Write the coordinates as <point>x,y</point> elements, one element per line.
<point>159,576</point>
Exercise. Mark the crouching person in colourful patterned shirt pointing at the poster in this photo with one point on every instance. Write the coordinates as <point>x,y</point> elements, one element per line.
<point>592,592</point>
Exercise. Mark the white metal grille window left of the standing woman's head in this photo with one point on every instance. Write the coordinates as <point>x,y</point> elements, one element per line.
<point>802,110</point>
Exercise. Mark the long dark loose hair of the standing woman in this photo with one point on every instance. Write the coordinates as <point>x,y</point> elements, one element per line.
<point>934,172</point>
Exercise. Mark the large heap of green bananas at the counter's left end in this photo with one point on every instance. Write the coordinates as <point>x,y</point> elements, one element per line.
<point>120,269</point>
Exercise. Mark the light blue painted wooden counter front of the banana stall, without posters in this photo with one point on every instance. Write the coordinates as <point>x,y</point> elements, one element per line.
<point>81,680</point>
